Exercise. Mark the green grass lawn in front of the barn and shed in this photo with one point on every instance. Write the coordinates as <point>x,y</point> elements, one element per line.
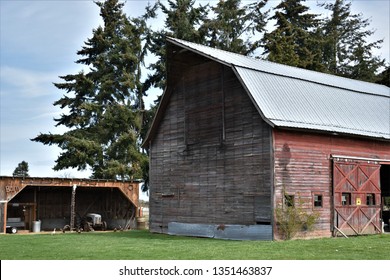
<point>142,245</point>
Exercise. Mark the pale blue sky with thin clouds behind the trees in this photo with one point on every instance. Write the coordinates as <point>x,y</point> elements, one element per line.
<point>38,43</point>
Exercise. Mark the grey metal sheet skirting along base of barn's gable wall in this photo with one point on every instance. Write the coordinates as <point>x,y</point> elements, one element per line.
<point>233,232</point>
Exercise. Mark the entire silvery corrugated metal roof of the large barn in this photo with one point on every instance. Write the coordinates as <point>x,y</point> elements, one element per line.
<point>296,98</point>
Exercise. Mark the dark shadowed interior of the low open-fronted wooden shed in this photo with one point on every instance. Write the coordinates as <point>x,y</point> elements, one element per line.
<point>52,206</point>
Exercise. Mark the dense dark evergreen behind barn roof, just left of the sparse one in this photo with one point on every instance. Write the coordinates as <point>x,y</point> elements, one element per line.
<point>294,40</point>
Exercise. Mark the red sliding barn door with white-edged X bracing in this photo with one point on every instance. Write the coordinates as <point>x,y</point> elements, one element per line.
<point>357,197</point>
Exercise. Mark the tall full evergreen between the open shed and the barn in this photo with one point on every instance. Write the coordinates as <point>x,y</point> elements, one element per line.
<point>104,105</point>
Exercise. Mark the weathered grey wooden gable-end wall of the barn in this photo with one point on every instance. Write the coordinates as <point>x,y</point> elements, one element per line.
<point>210,158</point>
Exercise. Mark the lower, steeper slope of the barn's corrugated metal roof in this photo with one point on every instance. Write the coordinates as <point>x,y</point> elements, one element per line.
<point>297,103</point>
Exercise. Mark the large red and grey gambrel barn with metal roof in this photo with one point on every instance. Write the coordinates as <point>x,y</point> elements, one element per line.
<point>236,138</point>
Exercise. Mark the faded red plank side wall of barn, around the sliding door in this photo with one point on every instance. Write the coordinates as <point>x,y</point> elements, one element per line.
<point>303,167</point>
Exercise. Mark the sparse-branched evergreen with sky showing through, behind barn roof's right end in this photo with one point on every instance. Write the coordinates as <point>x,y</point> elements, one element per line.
<point>346,51</point>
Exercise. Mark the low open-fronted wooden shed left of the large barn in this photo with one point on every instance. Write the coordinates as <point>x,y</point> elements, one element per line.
<point>52,200</point>
